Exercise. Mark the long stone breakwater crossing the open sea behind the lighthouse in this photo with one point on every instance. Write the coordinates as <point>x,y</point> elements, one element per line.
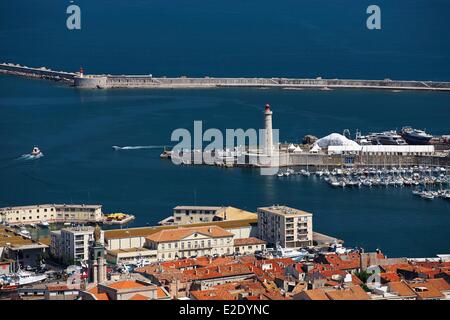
<point>80,80</point>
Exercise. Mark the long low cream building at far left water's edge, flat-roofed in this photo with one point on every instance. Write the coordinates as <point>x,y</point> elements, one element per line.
<point>51,213</point>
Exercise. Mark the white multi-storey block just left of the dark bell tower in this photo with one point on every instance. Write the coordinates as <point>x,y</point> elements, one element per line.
<point>72,244</point>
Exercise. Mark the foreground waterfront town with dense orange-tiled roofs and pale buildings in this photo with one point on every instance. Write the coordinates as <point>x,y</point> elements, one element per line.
<point>215,253</point>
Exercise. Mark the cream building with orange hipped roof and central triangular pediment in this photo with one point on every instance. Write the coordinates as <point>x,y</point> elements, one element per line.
<point>190,241</point>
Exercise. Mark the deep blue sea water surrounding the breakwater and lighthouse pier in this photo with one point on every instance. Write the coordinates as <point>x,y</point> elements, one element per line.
<point>76,129</point>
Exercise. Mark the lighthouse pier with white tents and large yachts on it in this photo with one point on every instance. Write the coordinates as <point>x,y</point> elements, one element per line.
<point>381,150</point>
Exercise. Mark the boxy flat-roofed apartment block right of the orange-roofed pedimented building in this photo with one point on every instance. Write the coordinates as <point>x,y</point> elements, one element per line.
<point>289,227</point>
